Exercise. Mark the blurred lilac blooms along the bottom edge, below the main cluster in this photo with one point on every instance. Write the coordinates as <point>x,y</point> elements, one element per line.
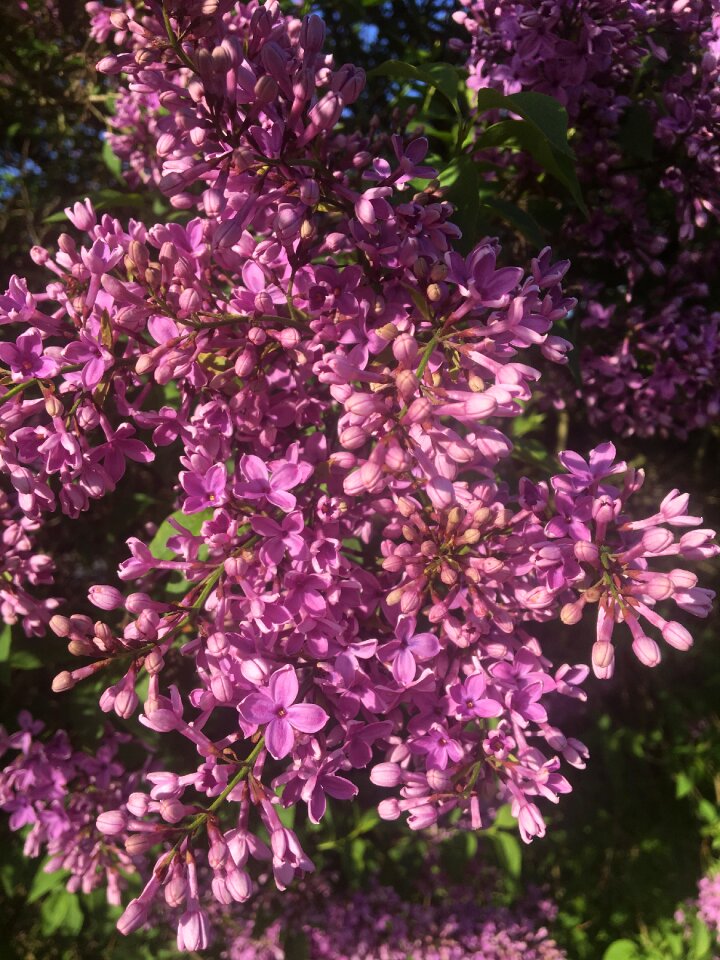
<point>379,923</point>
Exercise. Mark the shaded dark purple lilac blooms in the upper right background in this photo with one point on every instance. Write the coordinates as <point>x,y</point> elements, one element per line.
<point>639,81</point>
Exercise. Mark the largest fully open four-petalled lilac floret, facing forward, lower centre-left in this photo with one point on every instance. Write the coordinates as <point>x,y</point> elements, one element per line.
<point>277,708</point>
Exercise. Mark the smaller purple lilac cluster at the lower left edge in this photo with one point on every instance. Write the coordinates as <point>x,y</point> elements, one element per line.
<point>59,792</point>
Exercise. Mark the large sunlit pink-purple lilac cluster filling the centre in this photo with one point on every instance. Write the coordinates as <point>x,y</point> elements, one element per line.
<point>349,581</point>
